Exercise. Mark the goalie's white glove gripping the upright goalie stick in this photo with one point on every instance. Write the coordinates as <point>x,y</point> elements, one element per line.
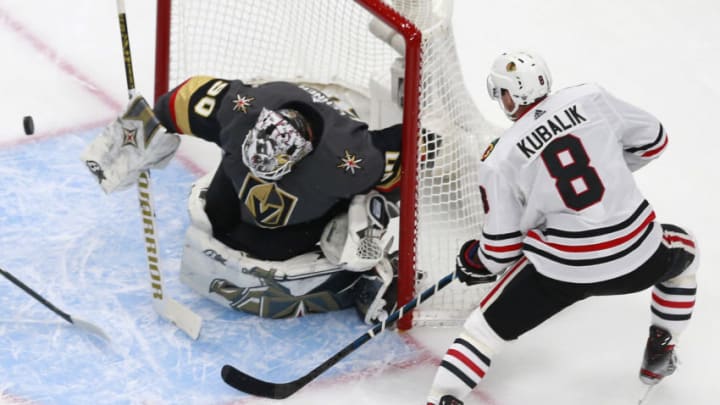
<point>133,143</point>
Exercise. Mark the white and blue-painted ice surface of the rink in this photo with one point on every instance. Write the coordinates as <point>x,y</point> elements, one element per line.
<point>82,249</point>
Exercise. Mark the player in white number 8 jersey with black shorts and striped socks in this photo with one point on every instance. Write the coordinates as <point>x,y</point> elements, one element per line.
<point>564,221</point>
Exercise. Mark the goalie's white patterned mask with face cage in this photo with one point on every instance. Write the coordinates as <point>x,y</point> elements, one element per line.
<point>277,142</point>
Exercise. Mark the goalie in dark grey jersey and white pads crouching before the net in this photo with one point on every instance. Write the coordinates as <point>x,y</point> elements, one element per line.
<point>296,217</point>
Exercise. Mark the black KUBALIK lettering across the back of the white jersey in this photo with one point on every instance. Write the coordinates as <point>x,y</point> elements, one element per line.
<point>557,125</point>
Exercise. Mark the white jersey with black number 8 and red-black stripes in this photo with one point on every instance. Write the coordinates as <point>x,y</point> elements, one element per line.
<point>558,187</point>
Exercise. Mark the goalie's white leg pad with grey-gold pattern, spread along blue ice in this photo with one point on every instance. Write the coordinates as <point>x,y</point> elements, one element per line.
<point>236,280</point>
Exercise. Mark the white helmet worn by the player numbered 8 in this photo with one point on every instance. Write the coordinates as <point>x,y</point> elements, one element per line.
<point>524,75</point>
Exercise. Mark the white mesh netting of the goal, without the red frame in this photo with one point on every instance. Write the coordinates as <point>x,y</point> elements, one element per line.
<point>328,42</point>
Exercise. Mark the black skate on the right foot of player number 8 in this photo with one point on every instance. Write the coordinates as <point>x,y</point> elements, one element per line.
<point>659,360</point>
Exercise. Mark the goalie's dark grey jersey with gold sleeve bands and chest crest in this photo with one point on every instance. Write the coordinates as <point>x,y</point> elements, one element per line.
<point>278,220</point>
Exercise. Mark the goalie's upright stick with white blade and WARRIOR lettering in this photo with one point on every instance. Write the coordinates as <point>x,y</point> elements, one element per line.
<point>180,315</point>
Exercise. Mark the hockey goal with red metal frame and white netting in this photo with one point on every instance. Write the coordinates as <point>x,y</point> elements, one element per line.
<point>328,44</point>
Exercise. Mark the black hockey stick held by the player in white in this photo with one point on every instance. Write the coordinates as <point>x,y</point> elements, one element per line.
<point>251,385</point>
